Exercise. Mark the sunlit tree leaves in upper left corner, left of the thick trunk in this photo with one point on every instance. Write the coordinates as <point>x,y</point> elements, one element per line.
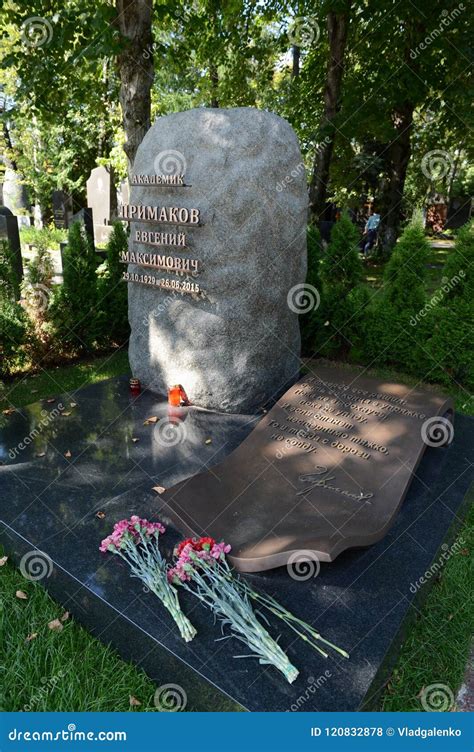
<point>62,95</point>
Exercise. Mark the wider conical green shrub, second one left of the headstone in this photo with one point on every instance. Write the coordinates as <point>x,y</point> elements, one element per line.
<point>73,310</point>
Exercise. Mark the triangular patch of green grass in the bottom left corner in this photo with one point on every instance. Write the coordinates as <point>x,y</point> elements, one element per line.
<point>58,670</point>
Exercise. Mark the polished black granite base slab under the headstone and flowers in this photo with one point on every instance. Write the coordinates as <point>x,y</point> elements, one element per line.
<point>362,601</point>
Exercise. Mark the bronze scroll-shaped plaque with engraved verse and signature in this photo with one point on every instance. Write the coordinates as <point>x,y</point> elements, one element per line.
<point>326,469</point>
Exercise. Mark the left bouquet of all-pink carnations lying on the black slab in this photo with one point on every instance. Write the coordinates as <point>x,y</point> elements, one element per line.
<point>136,542</point>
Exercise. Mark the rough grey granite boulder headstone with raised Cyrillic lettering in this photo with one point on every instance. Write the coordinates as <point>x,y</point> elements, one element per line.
<point>238,345</point>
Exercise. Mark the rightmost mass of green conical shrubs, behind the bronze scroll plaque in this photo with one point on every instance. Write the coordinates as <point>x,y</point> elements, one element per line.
<point>428,337</point>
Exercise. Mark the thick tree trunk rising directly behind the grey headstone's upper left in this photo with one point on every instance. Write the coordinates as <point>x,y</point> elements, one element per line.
<point>136,70</point>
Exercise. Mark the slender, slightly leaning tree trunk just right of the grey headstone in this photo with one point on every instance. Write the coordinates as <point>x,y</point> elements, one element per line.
<point>337,25</point>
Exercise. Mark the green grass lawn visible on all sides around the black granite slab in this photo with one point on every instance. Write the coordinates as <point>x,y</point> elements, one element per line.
<point>69,670</point>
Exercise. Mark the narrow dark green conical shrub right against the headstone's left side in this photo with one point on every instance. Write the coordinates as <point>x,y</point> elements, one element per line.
<point>112,317</point>
